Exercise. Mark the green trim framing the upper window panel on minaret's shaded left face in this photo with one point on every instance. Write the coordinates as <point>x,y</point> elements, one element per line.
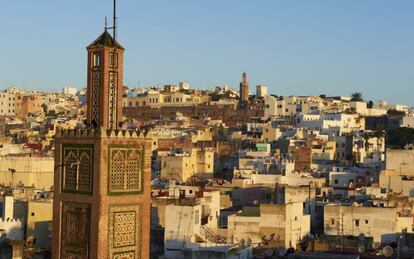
<point>65,146</point>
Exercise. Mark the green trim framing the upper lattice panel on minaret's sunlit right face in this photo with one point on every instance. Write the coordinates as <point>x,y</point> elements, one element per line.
<point>126,147</point>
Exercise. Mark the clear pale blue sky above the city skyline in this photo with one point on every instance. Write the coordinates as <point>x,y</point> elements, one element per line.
<point>296,47</point>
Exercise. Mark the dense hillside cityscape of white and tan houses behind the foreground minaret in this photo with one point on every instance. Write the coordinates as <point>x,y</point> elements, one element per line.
<point>234,174</point>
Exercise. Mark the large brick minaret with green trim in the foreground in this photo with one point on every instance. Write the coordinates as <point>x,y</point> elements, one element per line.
<point>102,180</point>
